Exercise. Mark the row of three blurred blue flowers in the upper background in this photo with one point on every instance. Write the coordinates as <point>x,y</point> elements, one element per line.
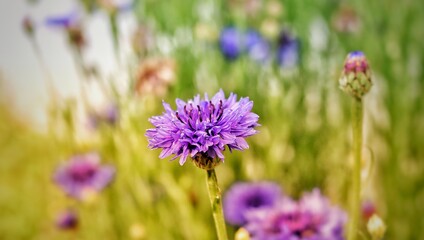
<point>233,42</point>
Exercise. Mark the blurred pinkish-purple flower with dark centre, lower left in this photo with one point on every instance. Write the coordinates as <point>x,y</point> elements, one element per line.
<point>83,174</point>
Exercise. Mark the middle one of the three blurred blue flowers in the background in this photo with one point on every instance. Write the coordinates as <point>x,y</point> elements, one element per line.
<point>256,46</point>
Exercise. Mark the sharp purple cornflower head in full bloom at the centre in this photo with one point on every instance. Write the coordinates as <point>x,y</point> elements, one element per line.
<point>201,128</point>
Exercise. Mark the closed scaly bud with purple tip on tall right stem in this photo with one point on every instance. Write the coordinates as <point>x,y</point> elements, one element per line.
<point>356,75</point>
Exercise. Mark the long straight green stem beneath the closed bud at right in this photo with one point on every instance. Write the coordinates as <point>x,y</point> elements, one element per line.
<point>357,112</point>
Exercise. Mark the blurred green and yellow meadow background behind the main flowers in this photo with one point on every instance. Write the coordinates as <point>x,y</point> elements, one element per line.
<point>85,76</point>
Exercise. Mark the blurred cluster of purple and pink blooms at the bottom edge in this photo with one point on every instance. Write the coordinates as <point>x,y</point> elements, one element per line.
<point>267,214</point>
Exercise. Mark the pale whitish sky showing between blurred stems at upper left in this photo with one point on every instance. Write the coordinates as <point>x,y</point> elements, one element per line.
<point>22,79</point>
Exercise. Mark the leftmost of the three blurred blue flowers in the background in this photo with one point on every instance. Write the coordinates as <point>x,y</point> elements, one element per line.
<point>231,42</point>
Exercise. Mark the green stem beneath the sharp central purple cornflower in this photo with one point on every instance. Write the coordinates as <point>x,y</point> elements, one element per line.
<point>216,203</point>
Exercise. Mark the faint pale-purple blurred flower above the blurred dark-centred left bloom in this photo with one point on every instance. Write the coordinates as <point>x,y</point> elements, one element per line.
<point>108,116</point>
